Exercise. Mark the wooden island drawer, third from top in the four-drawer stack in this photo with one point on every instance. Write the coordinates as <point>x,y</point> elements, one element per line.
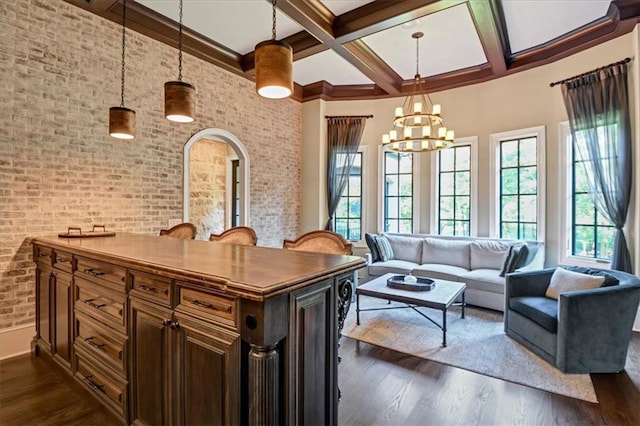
<point>101,342</point>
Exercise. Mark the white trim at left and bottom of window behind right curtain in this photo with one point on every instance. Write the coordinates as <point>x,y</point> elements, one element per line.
<point>566,206</point>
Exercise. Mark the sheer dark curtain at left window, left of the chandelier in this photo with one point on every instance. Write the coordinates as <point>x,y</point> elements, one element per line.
<point>344,134</point>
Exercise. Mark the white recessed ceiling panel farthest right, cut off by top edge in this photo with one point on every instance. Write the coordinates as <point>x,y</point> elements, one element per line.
<point>534,22</point>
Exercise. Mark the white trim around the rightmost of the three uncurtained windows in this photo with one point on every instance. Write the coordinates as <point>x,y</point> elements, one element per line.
<point>494,141</point>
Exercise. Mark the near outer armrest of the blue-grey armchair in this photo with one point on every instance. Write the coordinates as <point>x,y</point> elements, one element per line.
<point>594,328</point>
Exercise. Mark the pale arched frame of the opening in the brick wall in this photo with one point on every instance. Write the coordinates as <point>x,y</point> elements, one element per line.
<point>240,153</point>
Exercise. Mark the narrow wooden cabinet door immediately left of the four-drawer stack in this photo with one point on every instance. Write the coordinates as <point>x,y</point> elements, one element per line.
<point>62,317</point>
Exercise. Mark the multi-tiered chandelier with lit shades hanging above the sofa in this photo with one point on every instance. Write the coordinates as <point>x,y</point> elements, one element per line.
<point>418,125</point>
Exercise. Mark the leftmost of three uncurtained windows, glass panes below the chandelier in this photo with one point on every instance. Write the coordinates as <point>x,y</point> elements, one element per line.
<point>398,192</point>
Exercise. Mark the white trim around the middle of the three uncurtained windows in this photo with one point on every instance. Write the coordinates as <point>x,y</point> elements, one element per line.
<point>471,141</point>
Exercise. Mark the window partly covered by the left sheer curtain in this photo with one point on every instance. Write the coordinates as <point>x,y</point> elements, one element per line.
<point>348,217</point>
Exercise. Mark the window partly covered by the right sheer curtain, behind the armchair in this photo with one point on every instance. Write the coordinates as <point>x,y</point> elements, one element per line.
<point>589,235</point>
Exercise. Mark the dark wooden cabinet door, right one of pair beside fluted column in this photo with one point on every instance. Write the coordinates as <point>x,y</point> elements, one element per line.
<point>206,385</point>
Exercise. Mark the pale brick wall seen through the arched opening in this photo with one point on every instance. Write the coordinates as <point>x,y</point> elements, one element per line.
<point>207,186</point>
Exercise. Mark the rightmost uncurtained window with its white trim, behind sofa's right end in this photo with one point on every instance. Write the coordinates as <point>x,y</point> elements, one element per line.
<point>519,199</point>
